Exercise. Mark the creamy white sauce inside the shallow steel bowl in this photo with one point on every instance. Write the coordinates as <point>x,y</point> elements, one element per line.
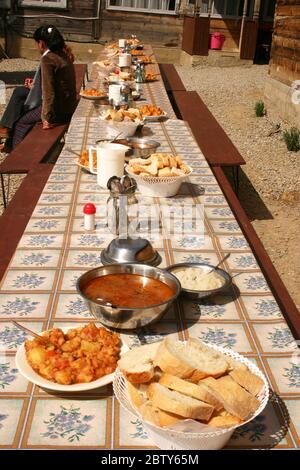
<point>198,279</point>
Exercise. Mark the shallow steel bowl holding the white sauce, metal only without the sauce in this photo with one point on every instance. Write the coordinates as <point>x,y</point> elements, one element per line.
<point>200,294</point>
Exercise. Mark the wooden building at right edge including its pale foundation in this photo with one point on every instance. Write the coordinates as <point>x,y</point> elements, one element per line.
<point>283,84</point>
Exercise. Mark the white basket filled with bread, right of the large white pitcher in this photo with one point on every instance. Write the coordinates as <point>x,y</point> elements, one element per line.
<point>159,175</point>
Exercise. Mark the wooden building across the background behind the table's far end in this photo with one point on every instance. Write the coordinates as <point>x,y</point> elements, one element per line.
<point>173,25</point>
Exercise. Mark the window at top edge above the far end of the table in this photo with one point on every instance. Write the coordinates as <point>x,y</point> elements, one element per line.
<point>146,6</point>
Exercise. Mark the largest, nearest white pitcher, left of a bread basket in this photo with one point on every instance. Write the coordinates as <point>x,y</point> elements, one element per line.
<point>110,161</point>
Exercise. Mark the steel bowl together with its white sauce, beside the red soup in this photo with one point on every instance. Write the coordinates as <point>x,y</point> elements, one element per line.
<point>199,280</point>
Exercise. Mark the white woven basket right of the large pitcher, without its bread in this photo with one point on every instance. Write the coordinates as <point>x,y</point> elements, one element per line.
<point>155,186</point>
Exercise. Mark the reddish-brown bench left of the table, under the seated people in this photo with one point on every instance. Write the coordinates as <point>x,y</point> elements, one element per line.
<point>38,145</point>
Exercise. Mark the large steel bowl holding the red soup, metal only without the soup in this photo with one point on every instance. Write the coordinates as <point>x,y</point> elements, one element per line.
<point>128,318</point>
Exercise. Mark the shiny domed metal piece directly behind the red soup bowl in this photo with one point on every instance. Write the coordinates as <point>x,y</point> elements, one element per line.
<point>130,250</point>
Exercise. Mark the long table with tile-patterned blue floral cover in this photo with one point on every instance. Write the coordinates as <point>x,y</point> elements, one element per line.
<point>38,289</point>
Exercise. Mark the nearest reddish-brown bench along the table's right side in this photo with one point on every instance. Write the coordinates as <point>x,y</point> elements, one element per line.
<point>283,298</point>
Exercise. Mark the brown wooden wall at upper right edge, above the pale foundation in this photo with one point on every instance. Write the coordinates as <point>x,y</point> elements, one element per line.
<point>285,53</point>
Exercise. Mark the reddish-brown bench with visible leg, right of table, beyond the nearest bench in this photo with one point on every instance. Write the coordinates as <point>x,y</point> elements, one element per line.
<point>211,138</point>
